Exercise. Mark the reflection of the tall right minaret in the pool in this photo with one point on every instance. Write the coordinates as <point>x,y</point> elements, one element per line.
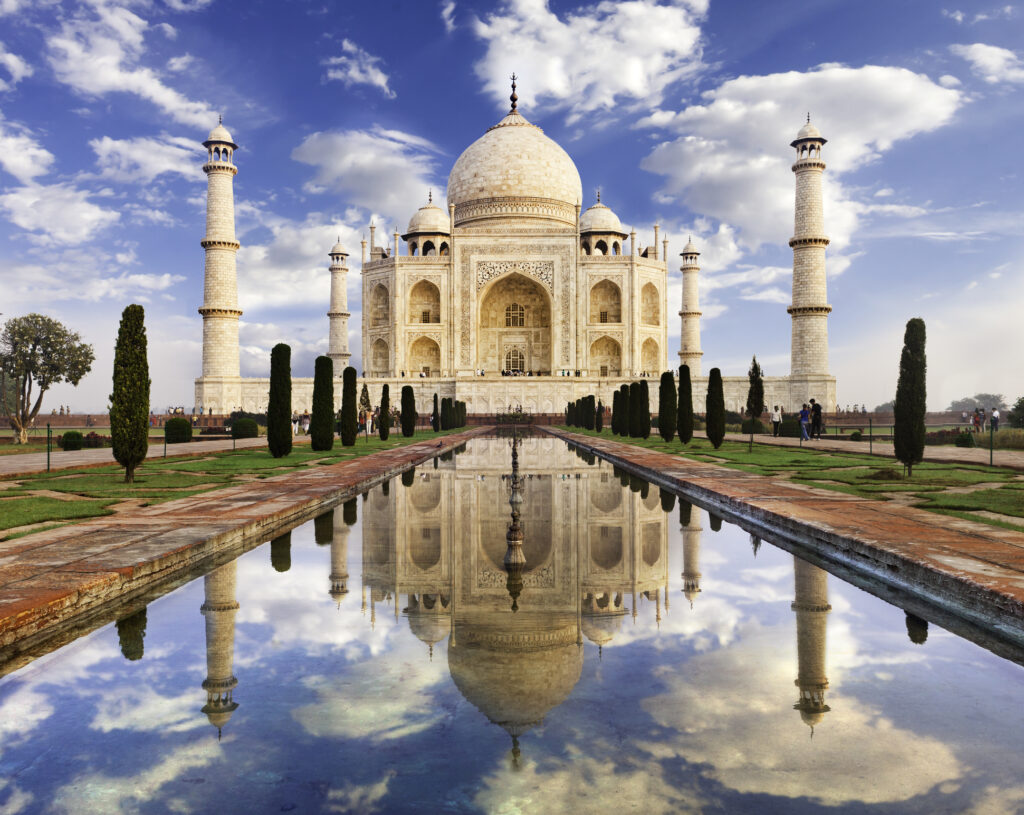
<point>812,605</point>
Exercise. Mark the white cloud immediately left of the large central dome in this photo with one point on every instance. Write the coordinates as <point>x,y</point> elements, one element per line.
<point>381,170</point>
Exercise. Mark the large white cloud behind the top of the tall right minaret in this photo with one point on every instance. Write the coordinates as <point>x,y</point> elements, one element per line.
<point>732,161</point>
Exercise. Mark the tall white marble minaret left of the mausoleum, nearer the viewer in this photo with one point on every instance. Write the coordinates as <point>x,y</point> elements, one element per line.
<point>221,292</point>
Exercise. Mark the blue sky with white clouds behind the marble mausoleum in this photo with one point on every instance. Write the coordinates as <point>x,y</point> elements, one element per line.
<point>680,112</point>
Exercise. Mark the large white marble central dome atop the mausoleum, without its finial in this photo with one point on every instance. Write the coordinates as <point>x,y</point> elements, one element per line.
<point>516,173</point>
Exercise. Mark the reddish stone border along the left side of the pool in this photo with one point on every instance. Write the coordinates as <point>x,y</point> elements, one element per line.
<point>58,579</point>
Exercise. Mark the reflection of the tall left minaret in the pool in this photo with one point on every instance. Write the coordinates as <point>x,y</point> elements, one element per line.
<point>220,610</point>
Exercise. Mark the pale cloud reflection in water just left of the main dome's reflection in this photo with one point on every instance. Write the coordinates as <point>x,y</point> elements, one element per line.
<point>367,704</point>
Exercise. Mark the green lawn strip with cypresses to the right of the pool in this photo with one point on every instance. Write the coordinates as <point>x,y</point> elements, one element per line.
<point>865,477</point>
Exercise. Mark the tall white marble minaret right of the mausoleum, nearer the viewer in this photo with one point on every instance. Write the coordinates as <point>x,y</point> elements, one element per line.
<point>809,355</point>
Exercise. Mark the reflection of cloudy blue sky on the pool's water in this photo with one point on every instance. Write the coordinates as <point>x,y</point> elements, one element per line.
<point>693,715</point>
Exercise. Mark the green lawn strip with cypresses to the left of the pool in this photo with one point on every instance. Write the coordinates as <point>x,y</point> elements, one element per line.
<point>92,492</point>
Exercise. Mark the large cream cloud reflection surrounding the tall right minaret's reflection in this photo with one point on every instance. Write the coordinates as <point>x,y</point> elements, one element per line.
<point>712,704</point>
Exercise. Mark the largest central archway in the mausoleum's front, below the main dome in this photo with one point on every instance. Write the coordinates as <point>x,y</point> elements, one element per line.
<point>515,316</point>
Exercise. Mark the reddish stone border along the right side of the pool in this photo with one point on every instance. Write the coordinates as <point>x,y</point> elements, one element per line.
<point>968,572</point>
